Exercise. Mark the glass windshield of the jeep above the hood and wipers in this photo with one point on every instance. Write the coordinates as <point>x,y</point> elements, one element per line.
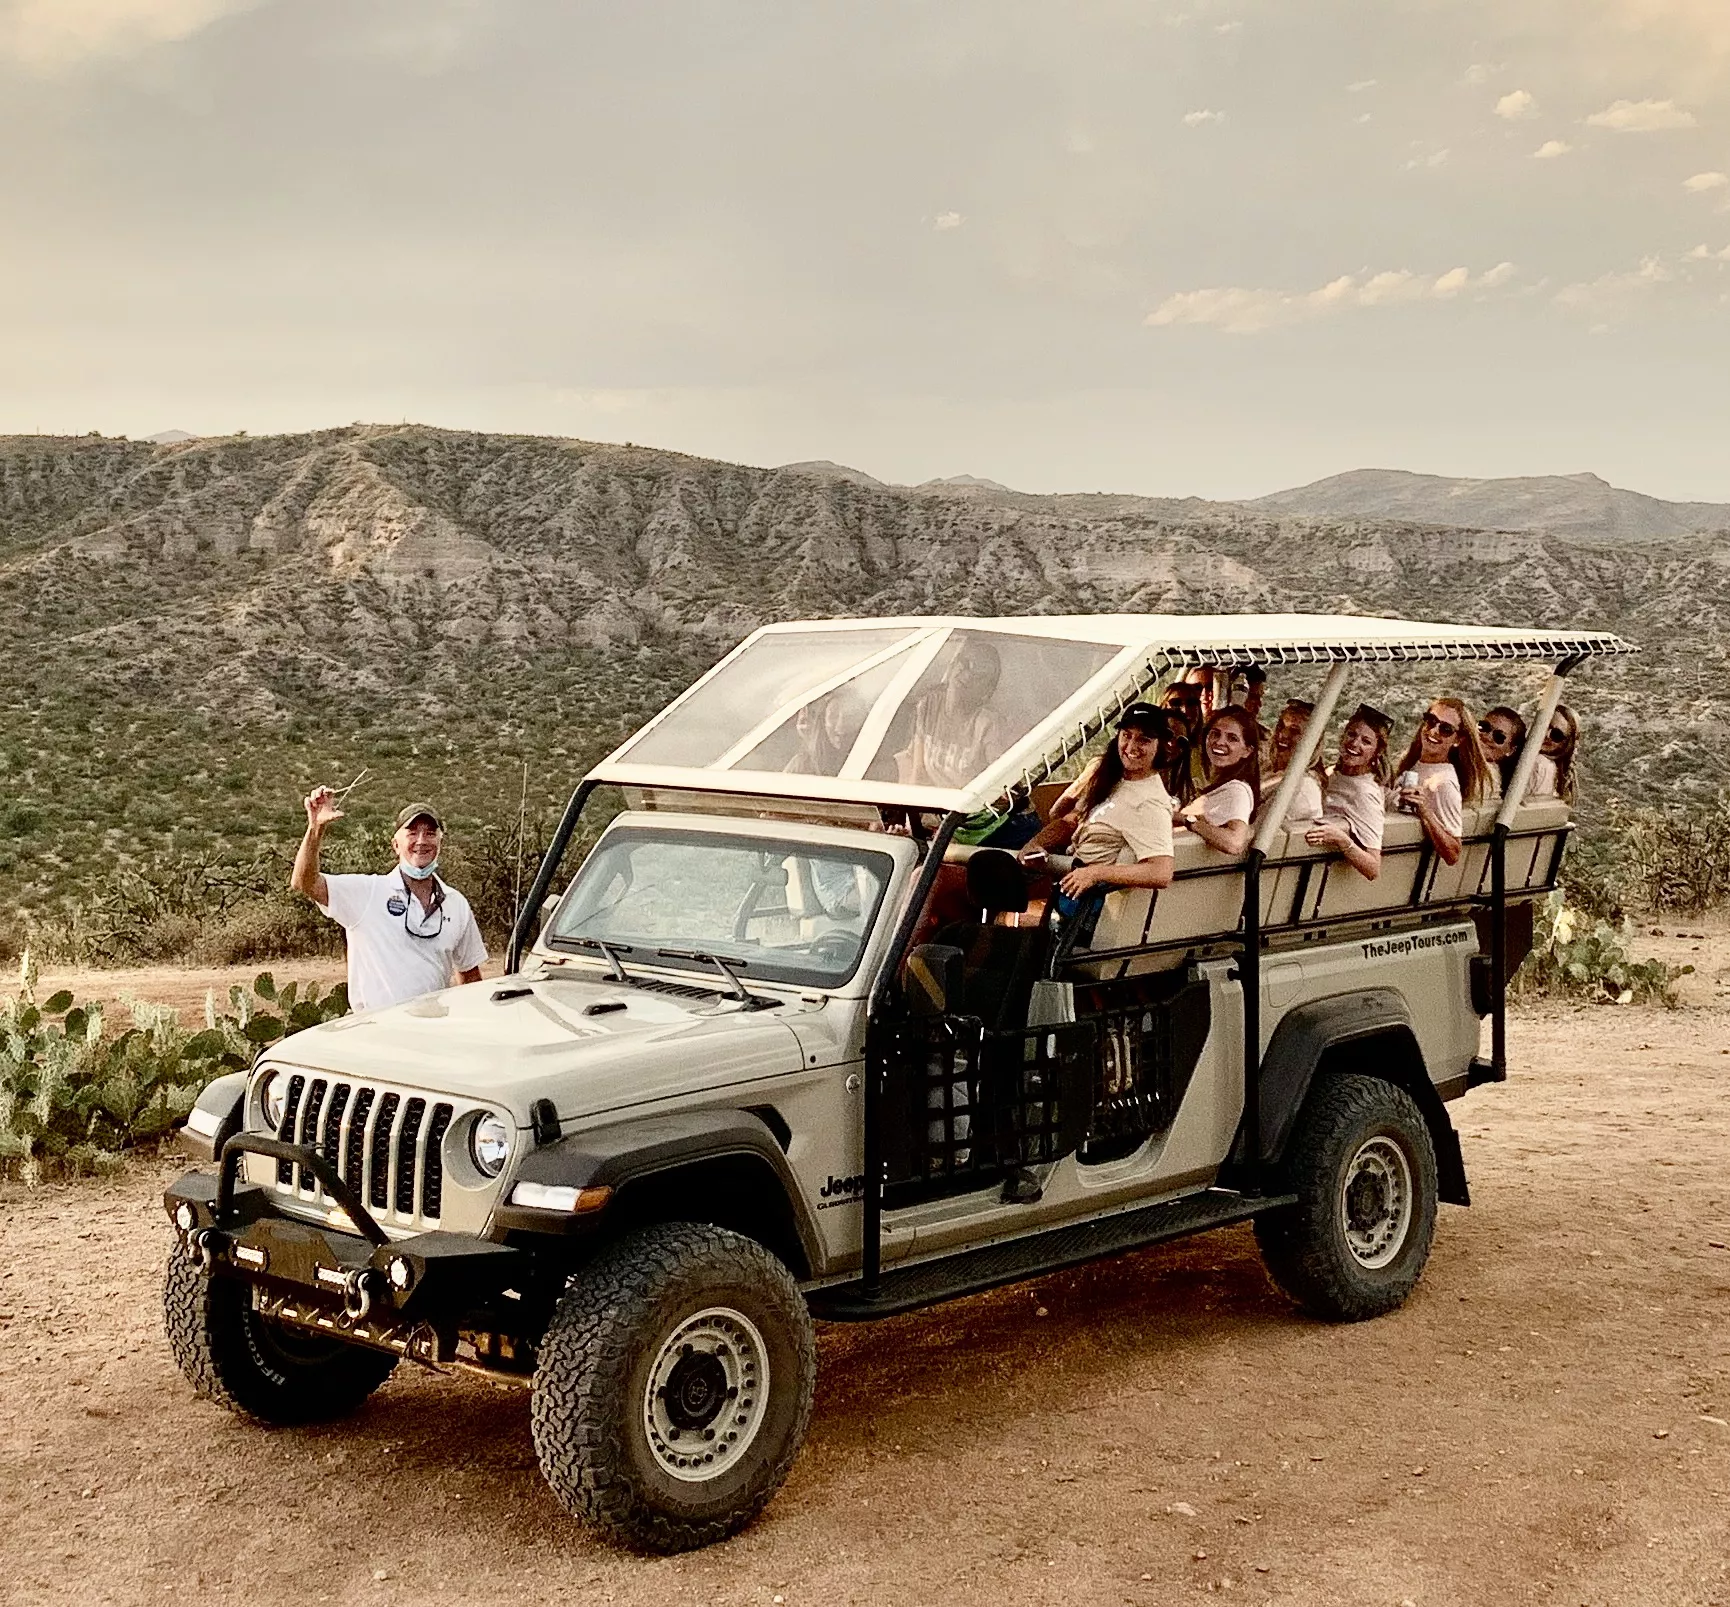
<point>772,911</point>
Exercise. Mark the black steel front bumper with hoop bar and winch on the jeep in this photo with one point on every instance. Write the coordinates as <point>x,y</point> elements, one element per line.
<point>409,1295</point>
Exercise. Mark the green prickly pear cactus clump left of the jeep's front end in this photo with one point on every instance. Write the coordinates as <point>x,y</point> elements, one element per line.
<point>74,1094</point>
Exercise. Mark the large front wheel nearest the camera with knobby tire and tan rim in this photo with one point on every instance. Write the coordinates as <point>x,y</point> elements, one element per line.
<point>617,1331</point>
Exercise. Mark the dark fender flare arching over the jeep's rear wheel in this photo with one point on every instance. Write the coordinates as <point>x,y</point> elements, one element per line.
<point>1374,1030</point>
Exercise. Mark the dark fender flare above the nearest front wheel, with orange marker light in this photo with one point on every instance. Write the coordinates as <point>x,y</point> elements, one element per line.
<point>632,1153</point>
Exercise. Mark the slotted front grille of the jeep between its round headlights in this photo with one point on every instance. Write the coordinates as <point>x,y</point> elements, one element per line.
<point>387,1146</point>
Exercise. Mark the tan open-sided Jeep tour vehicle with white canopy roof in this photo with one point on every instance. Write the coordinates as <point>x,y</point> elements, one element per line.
<point>797,1044</point>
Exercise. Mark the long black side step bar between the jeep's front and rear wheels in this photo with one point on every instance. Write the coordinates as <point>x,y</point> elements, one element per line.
<point>994,1265</point>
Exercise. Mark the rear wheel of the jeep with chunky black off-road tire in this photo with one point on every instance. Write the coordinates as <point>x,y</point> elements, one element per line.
<point>1354,1134</point>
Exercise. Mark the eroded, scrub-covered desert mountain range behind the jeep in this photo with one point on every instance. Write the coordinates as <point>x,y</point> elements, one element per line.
<point>196,632</point>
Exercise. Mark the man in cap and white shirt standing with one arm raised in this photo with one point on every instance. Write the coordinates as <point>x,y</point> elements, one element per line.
<point>407,932</point>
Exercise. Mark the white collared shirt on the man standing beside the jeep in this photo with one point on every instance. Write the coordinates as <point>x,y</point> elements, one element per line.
<point>387,963</point>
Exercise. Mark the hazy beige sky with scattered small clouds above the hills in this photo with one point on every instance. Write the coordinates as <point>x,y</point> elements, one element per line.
<point>1072,245</point>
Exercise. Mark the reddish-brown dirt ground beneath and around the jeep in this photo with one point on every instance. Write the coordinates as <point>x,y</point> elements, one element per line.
<point>1547,1421</point>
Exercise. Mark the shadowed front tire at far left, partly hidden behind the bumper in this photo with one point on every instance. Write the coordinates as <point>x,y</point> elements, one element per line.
<point>253,1366</point>
